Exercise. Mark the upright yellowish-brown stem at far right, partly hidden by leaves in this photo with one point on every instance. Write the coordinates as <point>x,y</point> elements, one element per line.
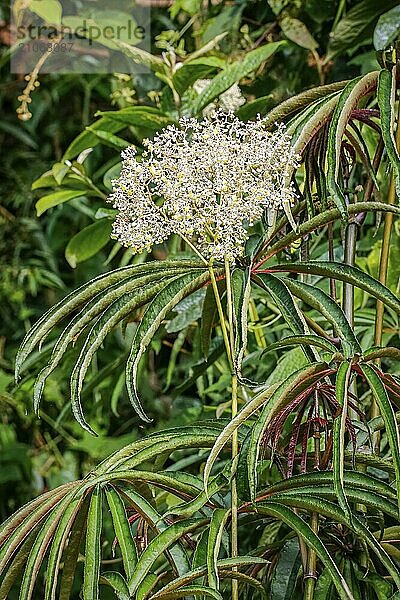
<point>383,268</point>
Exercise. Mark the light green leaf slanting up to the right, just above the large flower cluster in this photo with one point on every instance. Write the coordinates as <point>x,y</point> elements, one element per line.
<point>234,72</point>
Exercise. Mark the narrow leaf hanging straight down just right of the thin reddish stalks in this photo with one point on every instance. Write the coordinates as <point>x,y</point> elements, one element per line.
<point>339,430</point>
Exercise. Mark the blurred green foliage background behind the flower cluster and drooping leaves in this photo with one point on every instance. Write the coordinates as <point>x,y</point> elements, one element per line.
<point>36,254</point>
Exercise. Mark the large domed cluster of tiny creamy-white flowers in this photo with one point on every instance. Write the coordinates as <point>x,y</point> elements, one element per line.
<point>204,180</point>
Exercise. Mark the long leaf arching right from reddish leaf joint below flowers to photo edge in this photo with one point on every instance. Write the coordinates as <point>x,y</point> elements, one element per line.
<point>345,273</point>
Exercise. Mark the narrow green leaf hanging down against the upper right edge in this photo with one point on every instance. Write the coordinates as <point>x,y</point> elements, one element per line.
<point>386,100</point>
